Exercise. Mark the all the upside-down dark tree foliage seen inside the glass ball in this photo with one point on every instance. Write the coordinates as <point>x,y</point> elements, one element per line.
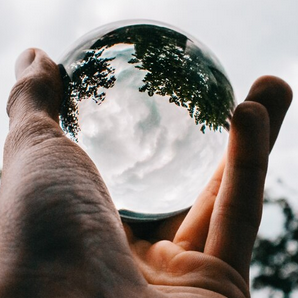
<point>182,72</point>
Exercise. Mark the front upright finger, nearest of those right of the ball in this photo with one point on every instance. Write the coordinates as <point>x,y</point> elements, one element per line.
<point>237,209</point>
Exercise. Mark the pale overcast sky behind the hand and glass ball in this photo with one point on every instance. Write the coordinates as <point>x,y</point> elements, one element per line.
<point>250,39</point>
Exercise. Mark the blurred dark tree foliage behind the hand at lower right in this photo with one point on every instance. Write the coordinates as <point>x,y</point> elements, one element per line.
<point>277,260</point>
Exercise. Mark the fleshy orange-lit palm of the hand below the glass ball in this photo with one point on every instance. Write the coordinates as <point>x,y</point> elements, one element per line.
<point>175,271</point>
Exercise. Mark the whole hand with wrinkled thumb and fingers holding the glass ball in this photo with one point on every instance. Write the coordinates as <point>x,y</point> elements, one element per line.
<point>60,235</point>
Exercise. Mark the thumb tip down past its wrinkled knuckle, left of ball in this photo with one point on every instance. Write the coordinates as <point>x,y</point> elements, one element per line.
<point>38,87</point>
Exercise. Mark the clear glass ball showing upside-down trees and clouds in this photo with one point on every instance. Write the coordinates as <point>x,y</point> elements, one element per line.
<point>151,106</point>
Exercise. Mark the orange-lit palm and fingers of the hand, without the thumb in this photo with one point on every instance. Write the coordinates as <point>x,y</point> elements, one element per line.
<point>210,247</point>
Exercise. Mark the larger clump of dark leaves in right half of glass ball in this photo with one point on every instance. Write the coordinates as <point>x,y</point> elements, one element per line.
<point>184,75</point>
